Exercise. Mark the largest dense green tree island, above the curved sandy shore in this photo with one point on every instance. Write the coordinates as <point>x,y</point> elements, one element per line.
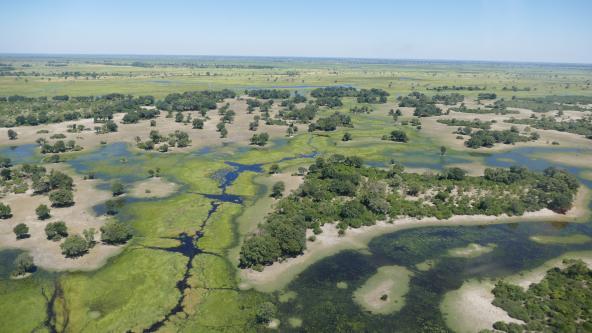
<point>342,189</point>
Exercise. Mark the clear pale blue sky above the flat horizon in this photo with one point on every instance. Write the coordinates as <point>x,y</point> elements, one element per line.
<point>497,30</point>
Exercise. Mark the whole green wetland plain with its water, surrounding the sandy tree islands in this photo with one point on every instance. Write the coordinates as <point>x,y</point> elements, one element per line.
<point>180,270</point>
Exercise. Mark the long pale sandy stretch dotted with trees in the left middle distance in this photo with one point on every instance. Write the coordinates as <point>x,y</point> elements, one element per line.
<point>238,131</point>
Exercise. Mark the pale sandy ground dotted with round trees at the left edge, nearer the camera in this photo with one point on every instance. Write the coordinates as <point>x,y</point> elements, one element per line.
<point>47,254</point>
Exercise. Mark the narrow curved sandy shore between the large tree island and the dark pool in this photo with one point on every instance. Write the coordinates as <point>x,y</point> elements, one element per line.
<point>328,243</point>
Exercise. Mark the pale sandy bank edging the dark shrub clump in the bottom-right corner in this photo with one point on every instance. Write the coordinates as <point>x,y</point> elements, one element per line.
<point>469,309</point>
